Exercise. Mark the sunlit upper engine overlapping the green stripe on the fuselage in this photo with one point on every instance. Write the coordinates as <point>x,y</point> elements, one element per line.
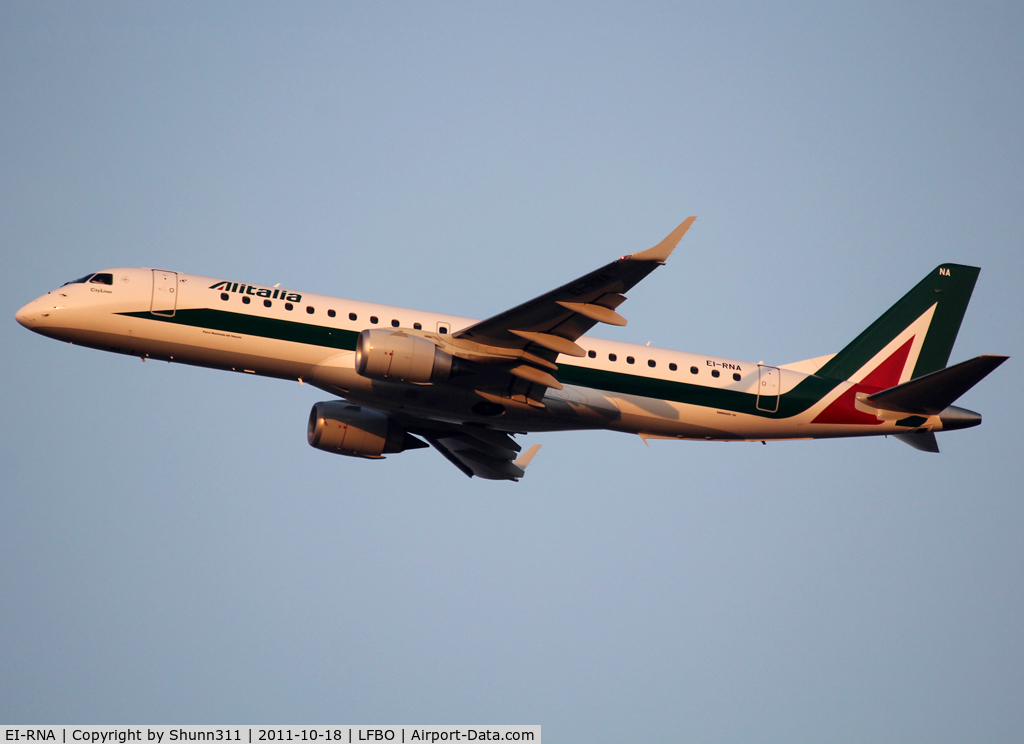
<point>385,355</point>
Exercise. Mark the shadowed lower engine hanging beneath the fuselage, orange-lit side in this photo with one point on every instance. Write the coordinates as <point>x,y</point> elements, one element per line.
<point>359,432</point>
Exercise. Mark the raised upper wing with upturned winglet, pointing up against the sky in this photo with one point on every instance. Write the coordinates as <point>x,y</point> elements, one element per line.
<point>537,332</point>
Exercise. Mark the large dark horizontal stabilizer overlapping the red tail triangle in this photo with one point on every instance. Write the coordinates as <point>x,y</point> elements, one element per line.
<point>934,393</point>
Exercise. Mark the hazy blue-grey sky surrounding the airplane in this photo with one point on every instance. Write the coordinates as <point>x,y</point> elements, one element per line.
<point>173,551</point>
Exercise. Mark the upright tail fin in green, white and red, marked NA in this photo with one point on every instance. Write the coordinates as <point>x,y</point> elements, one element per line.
<point>914,337</point>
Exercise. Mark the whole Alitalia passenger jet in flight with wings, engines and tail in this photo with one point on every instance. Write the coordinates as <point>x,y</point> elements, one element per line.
<point>406,379</point>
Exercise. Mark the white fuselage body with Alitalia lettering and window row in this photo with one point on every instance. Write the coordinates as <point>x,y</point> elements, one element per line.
<point>311,338</point>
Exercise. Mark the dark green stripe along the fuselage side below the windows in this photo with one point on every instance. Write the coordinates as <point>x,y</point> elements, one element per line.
<point>808,392</point>
